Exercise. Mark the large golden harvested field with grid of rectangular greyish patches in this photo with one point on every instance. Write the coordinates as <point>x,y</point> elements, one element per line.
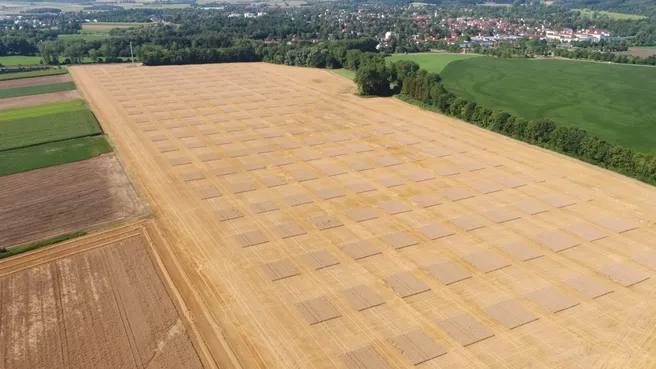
<point>322,230</point>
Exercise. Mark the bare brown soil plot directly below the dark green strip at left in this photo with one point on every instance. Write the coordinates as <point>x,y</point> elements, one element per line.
<point>67,198</point>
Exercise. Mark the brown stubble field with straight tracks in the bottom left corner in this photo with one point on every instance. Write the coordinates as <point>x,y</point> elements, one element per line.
<point>96,302</point>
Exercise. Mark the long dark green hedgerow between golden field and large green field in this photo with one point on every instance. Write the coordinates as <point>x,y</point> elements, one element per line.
<point>424,89</point>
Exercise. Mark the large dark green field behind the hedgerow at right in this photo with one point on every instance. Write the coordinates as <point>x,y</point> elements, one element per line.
<point>612,102</point>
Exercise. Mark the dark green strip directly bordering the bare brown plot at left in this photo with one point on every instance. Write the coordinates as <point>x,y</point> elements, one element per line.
<point>54,153</point>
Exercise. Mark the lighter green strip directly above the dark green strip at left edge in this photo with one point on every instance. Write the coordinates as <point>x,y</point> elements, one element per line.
<point>36,130</point>
